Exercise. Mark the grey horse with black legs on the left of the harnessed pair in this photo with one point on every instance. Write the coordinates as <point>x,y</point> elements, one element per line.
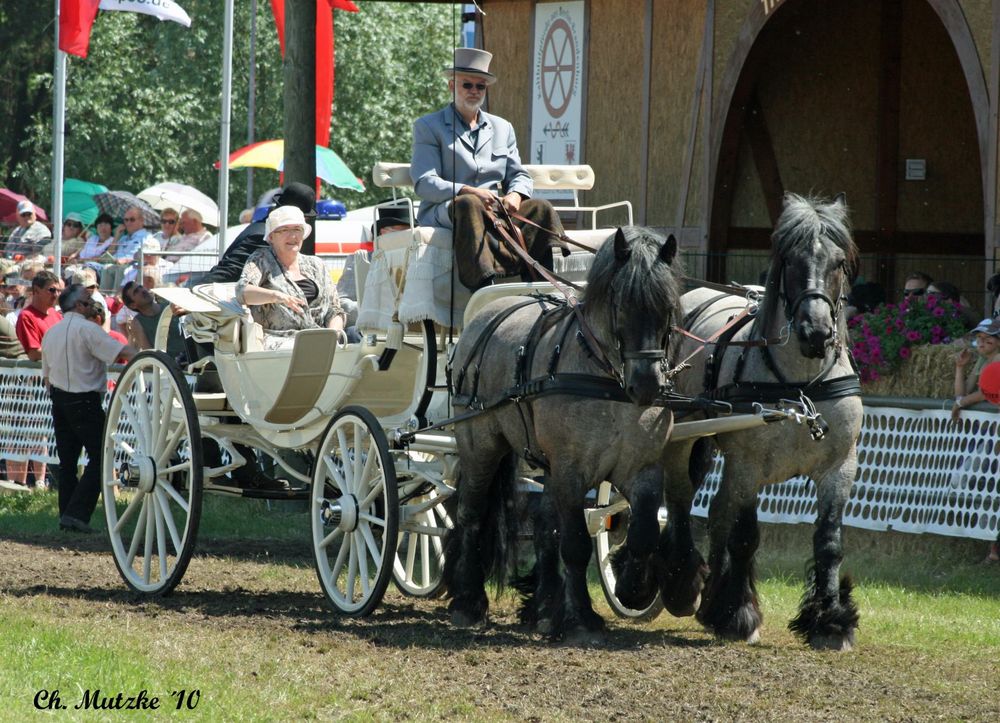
<point>596,425</point>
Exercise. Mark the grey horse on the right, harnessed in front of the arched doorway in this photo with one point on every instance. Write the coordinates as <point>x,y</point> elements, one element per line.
<point>802,318</point>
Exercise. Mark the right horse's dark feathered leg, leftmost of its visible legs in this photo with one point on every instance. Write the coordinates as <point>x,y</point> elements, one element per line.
<point>681,570</point>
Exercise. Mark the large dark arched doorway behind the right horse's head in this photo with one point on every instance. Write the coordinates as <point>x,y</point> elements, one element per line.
<point>857,97</point>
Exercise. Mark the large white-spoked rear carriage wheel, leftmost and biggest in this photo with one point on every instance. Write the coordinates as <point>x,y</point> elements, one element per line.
<point>152,473</point>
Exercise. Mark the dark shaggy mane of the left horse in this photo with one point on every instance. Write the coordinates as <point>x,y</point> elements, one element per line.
<point>643,284</point>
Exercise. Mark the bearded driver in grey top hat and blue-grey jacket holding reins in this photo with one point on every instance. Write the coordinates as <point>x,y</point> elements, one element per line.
<point>465,162</point>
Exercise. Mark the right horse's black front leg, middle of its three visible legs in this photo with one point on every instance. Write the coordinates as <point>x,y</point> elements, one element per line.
<point>729,605</point>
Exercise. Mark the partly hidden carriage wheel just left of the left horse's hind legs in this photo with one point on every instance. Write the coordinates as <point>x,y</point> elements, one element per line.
<point>424,521</point>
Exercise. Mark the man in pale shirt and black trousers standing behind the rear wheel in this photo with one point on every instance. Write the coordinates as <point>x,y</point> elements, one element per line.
<point>75,357</point>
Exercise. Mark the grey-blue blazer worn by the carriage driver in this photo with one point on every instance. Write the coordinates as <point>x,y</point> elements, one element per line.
<point>444,160</point>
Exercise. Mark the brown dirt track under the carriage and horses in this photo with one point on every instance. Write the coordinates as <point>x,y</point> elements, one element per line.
<point>410,663</point>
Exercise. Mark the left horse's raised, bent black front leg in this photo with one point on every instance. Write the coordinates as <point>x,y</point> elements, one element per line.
<point>636,585</point>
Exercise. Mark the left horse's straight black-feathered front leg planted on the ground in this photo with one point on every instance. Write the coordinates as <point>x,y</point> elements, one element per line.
<point>575,616</point>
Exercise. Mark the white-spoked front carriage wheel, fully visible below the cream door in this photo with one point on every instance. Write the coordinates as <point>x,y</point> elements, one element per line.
<point>354,508</point>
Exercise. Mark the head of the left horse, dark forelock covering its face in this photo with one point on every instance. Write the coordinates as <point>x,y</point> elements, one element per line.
<point>633,301</point>
